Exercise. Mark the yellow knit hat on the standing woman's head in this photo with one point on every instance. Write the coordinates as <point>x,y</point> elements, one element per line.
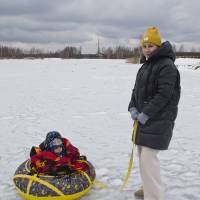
<point>151,35</point>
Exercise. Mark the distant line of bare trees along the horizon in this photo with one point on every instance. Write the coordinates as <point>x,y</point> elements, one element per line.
<point>119,52</point>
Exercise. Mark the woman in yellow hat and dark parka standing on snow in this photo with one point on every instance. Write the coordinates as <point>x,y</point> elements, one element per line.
<point>154,104</point>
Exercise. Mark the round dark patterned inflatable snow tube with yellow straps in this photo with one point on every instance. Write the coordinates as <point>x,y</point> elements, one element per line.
<point>44,187</point>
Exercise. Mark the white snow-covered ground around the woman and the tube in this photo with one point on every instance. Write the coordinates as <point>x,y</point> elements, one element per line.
<point>86,100</point>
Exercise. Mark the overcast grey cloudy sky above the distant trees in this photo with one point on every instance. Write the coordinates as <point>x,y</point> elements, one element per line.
<point>54,24</point>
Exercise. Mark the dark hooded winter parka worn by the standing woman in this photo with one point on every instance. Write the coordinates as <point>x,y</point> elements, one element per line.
<point>156,93</point>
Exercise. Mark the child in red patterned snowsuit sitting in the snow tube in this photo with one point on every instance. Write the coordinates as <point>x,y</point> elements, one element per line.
<point>56,155</point>
